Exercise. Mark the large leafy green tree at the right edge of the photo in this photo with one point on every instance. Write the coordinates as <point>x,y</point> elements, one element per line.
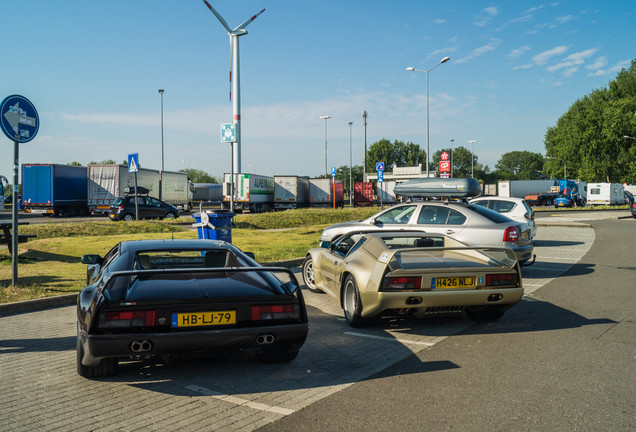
<point>590,137</point>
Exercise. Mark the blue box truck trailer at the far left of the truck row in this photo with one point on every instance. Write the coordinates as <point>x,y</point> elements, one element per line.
<point>54,189</point>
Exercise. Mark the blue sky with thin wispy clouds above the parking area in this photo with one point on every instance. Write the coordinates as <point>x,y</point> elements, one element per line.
<point>92,69</point>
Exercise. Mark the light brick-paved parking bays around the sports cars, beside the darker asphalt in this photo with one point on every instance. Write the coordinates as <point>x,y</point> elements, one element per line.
<point>41,390</point>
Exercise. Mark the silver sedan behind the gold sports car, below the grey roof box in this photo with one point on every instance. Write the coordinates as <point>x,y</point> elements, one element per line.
<point>471,224</point>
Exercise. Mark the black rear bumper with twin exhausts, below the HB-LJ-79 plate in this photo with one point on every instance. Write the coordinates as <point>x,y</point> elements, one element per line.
<point>98,346</point>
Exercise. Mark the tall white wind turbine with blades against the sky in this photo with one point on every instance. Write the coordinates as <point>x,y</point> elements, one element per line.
<point>235,86</point>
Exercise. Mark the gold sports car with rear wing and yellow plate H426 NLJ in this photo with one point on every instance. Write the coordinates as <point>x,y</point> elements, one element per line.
<point>371,273</point>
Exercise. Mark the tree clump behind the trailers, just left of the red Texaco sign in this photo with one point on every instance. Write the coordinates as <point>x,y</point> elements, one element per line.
<point>397,153</point>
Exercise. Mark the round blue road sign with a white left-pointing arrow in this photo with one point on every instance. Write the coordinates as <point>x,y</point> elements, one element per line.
<point>19,119</point>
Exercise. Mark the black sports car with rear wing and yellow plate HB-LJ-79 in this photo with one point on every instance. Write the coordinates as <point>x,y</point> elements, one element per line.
<point>160,297</point>
